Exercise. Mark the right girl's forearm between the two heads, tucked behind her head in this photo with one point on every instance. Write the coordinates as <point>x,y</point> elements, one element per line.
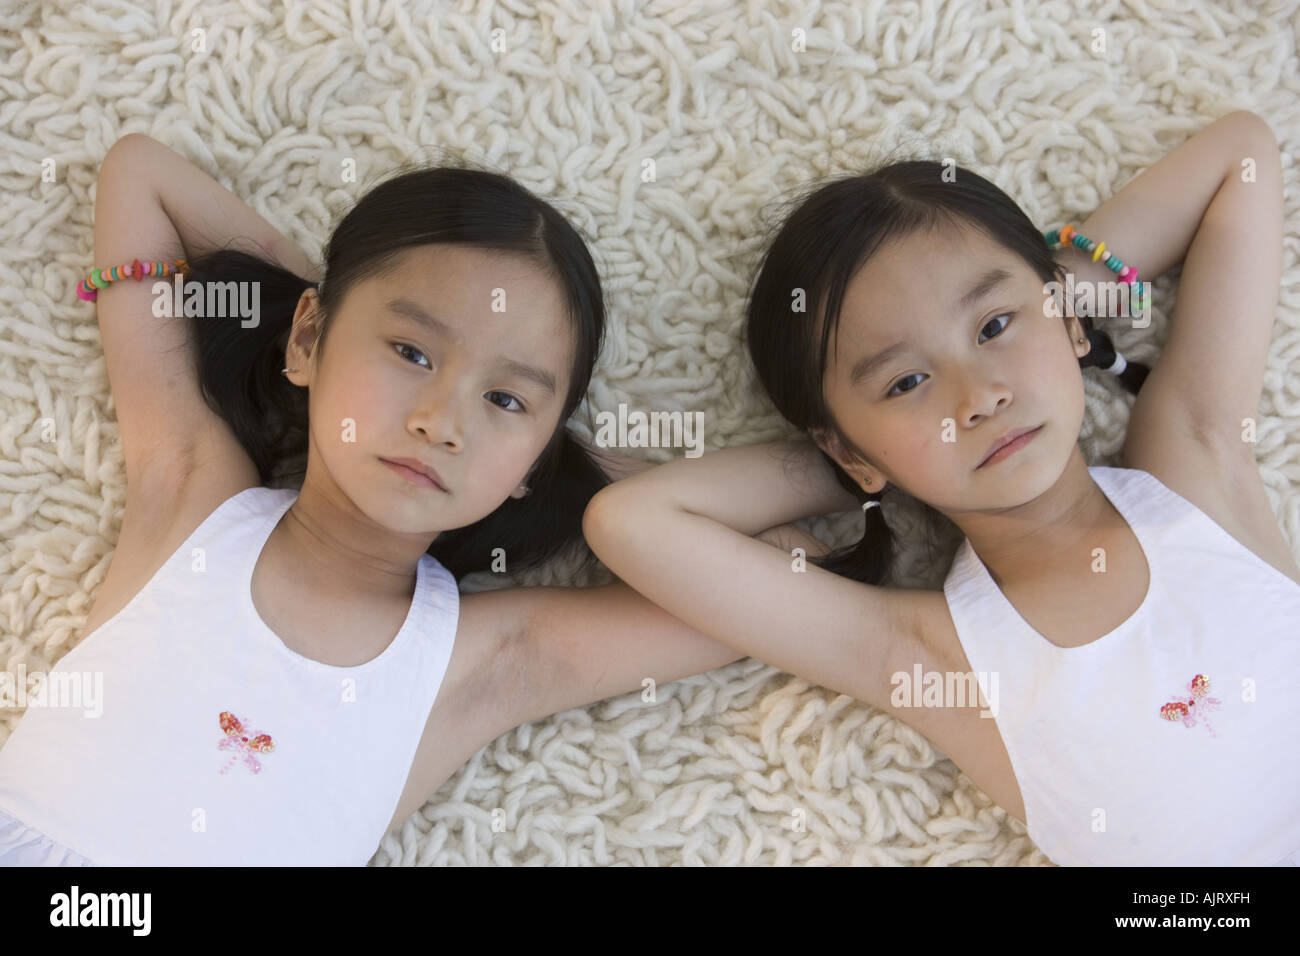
<point>749,490</point>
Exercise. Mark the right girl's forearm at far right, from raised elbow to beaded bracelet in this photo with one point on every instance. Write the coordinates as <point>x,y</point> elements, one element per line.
<point>1150,224</point>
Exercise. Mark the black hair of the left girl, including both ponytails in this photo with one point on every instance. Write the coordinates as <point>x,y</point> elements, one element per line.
<point>240,369</point>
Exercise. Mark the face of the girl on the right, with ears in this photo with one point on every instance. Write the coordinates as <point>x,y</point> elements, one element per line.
<point>968,373</point>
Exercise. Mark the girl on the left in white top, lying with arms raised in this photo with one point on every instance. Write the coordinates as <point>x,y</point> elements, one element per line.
<point>288,676</point>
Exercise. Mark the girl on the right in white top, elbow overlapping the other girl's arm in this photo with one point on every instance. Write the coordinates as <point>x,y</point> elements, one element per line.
<point>1133,630</point>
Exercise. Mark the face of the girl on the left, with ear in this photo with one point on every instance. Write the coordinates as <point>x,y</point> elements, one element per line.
<point>475,391</point>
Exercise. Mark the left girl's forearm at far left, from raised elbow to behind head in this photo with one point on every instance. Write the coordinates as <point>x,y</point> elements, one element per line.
<point>209,217</point>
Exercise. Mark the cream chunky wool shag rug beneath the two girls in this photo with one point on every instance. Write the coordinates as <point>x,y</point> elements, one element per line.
<point>571,97</point>
